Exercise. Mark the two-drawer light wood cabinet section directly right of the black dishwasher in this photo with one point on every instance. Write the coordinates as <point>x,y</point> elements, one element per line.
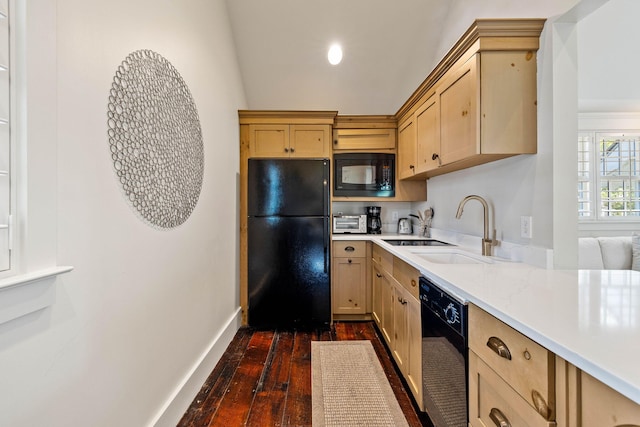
<point>511,377</point>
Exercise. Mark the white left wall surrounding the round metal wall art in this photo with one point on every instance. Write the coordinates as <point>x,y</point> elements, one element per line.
<point>142,306</point>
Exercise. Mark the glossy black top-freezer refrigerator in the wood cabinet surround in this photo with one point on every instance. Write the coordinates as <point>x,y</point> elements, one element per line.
<point>288,243</point>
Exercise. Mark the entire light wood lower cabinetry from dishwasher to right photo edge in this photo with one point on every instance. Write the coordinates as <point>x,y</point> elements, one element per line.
<point>513,381</point>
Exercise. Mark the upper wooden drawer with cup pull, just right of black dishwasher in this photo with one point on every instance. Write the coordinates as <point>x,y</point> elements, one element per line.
<point>525,365</point>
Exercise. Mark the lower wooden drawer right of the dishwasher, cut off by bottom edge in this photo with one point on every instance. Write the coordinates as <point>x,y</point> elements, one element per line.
<point>492,400</point>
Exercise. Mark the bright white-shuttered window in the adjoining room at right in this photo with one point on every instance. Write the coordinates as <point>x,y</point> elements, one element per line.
<point>609,176</point>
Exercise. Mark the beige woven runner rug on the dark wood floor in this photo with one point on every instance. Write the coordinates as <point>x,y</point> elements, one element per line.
<point>350,388</point>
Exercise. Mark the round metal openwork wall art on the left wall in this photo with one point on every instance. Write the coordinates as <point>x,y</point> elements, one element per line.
<point>155,139</point>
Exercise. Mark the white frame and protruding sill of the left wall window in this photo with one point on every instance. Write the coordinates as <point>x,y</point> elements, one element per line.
<point>29,285</point>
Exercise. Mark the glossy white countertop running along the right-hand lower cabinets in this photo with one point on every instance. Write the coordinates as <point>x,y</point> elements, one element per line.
<point>591,318</point>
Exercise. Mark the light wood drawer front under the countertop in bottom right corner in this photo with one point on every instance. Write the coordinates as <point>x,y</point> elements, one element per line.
<point>604,407</point>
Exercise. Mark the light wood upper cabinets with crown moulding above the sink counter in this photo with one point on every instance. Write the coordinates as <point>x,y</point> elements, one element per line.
<point>478,105</point>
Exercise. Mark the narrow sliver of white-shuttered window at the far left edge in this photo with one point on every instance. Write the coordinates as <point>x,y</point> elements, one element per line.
<point>5,136</point>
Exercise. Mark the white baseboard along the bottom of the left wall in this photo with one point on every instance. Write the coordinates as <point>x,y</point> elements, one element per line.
<point>179,401</point>
